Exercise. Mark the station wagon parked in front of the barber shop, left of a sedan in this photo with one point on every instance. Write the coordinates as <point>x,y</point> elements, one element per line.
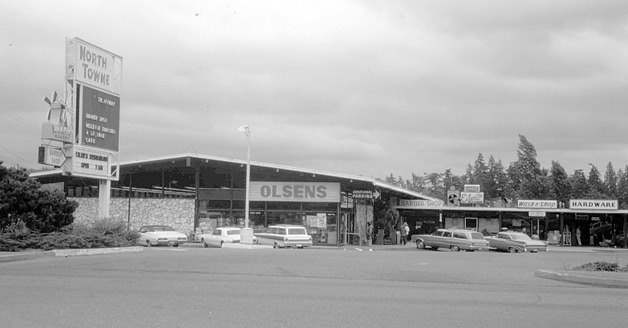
<point>454,239</point>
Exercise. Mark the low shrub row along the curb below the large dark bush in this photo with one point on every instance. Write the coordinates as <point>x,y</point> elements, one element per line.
<point>97,235</point>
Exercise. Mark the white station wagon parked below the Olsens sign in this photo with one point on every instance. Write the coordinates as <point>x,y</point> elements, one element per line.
<point>285,235</point>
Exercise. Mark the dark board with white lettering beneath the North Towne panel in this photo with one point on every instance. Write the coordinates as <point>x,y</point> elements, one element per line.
<point>100,113</point>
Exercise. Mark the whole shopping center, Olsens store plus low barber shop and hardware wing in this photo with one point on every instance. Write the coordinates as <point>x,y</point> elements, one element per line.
<point>196,193</point>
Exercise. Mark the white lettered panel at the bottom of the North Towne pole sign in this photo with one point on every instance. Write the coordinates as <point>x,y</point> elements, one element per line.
<point>89,163</point>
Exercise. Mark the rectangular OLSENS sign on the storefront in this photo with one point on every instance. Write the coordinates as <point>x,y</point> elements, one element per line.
<point>309,192</point>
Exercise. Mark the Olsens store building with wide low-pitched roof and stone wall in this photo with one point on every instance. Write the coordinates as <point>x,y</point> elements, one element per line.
<point>194,193</point>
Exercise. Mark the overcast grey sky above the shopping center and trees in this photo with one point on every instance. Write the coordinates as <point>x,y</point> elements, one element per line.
<point>358,87</point>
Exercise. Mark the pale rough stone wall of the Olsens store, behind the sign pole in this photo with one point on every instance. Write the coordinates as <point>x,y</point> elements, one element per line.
<point>175,212</point>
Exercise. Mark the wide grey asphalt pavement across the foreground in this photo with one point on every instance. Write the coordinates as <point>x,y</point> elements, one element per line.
<point>194,287</point>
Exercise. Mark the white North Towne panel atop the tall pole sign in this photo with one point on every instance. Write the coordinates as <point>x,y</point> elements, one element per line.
<point>93,66</point>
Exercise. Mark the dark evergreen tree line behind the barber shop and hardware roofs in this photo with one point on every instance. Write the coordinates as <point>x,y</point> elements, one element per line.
<point>523,179</point>
